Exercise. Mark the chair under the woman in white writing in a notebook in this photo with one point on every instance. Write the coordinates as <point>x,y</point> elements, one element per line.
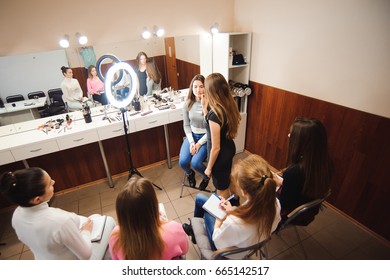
<point>203,244</point>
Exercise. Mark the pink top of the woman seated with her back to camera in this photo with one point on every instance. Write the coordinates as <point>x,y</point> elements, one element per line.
<point>174,238</point>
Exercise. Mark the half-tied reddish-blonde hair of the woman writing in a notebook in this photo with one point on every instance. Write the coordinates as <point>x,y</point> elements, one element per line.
<point>254,177</point>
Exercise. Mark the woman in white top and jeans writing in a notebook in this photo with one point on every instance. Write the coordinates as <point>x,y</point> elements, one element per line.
<point>251,222</point>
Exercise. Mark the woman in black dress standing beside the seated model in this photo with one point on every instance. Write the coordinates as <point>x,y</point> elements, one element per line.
<point>222,120</point>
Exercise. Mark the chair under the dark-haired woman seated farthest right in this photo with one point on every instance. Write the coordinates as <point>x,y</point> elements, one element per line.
<point>301,216</point>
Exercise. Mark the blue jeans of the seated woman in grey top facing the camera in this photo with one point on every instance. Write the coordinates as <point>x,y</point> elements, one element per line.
<point>186,160</point>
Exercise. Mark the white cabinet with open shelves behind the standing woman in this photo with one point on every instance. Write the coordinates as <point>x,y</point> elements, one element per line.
<point>224,44</point>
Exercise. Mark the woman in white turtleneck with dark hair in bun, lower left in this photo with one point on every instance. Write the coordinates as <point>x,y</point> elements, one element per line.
<point>49,232</point>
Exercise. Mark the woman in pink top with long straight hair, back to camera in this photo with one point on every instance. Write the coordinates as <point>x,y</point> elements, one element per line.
<point>141,233</point>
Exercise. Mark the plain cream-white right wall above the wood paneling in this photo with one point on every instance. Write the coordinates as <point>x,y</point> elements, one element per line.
<point>333,50</point>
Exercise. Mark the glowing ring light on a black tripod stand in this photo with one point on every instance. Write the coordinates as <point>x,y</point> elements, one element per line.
<point>109,82</point>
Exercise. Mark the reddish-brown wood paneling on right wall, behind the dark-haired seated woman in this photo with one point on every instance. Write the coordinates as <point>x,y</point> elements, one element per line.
<point>358,142</point>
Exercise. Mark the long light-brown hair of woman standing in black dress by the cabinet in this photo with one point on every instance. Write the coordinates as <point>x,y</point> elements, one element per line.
<point>220,99</point>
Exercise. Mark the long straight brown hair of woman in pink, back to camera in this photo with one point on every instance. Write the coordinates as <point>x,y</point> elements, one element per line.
<point>138,218</point>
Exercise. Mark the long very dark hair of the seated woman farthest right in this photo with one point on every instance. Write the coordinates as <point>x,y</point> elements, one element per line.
<point>308,148</point>
